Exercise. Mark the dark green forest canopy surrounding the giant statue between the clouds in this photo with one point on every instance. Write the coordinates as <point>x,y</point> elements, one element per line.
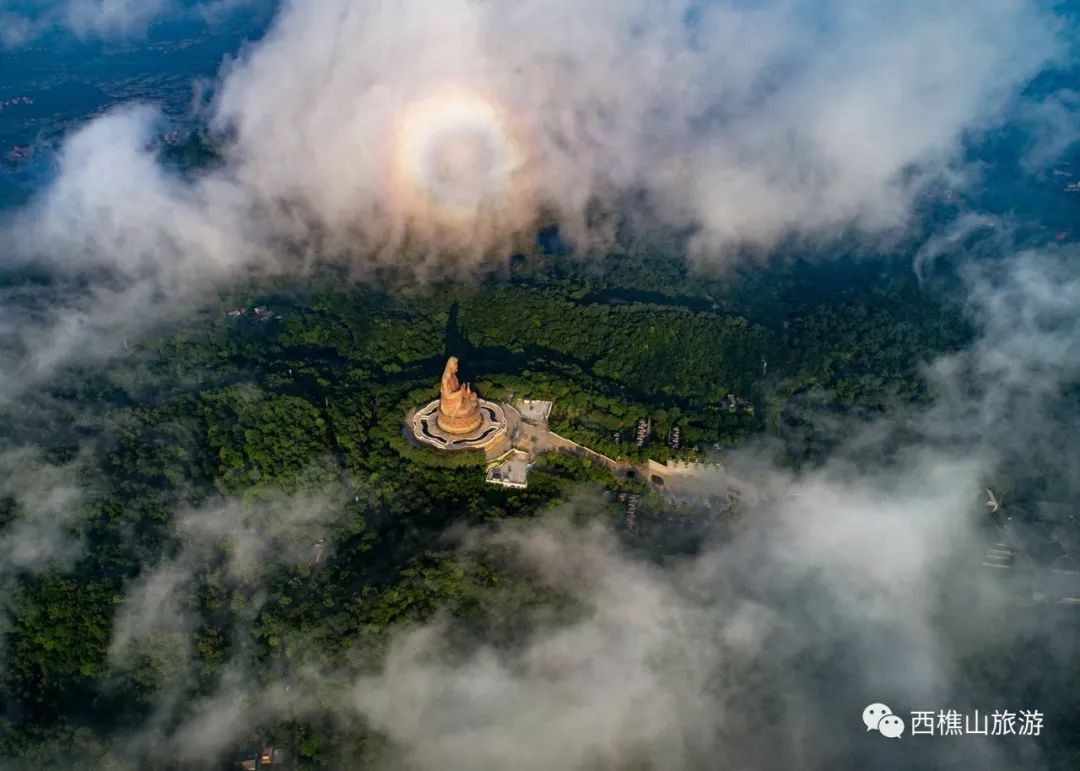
<point>314,407</point>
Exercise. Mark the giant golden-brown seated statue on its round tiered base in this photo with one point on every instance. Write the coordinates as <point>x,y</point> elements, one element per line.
<point>460,420</point>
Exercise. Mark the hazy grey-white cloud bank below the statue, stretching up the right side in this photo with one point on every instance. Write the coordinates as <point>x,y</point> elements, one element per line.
<point>854,583</point>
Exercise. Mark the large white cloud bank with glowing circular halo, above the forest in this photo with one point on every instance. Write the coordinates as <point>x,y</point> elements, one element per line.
<point>423,139</point>
